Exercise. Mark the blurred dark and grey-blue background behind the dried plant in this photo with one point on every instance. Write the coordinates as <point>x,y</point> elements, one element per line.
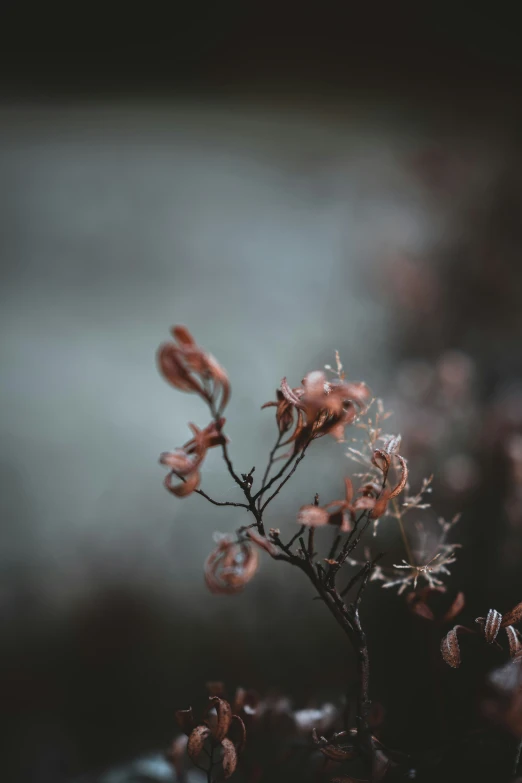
<point>286,183</point>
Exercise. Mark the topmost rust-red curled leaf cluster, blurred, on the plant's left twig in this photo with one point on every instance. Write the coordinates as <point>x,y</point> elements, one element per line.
<point>189,368</point>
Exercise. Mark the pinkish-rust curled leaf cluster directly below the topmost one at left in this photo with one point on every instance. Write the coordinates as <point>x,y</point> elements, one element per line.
<point>184,463</point>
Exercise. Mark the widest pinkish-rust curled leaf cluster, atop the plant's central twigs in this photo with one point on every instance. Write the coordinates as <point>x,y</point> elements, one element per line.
<point>328,405</point>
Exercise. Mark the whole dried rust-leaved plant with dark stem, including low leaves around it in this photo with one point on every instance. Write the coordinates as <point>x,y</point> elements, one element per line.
<point>325,403</point>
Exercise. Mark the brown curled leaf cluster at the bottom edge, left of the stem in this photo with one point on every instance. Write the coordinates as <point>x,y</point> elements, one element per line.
<point>219,729</point>
